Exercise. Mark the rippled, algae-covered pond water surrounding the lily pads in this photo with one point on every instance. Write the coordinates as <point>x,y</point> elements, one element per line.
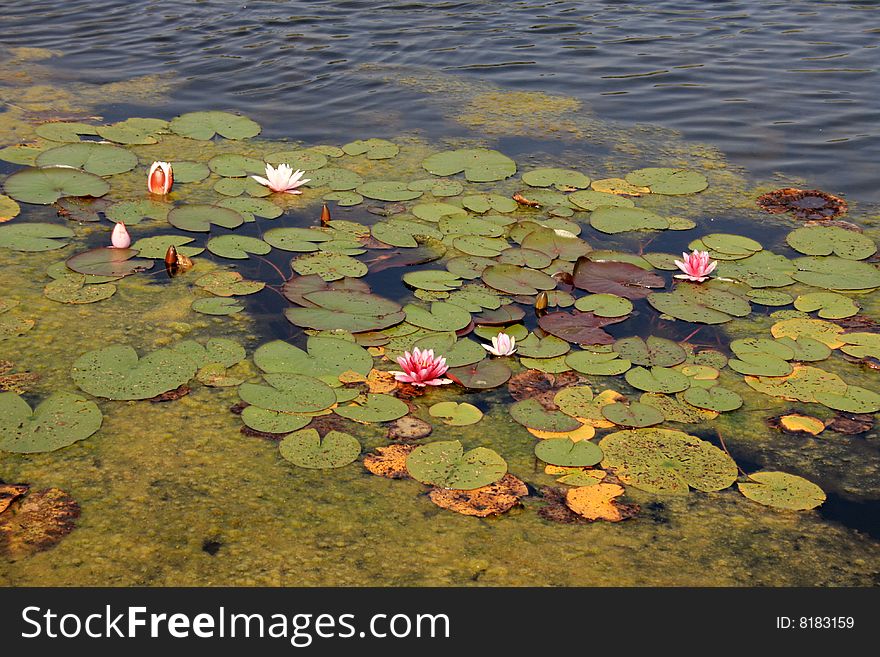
<point>752,95</point>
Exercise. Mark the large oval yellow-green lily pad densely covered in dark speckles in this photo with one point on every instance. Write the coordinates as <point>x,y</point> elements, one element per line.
<point>667,461</point>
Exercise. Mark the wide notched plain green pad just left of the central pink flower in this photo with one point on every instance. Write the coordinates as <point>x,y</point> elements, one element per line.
<point>324,356</point>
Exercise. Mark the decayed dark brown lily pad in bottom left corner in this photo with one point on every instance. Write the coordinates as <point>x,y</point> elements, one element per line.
<point>36,522</point>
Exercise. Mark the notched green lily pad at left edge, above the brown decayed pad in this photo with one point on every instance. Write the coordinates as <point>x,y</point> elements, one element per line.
<point>60,420</point>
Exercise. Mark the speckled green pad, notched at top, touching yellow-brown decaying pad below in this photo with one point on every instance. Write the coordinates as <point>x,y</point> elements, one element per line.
<point>445,464</point>
